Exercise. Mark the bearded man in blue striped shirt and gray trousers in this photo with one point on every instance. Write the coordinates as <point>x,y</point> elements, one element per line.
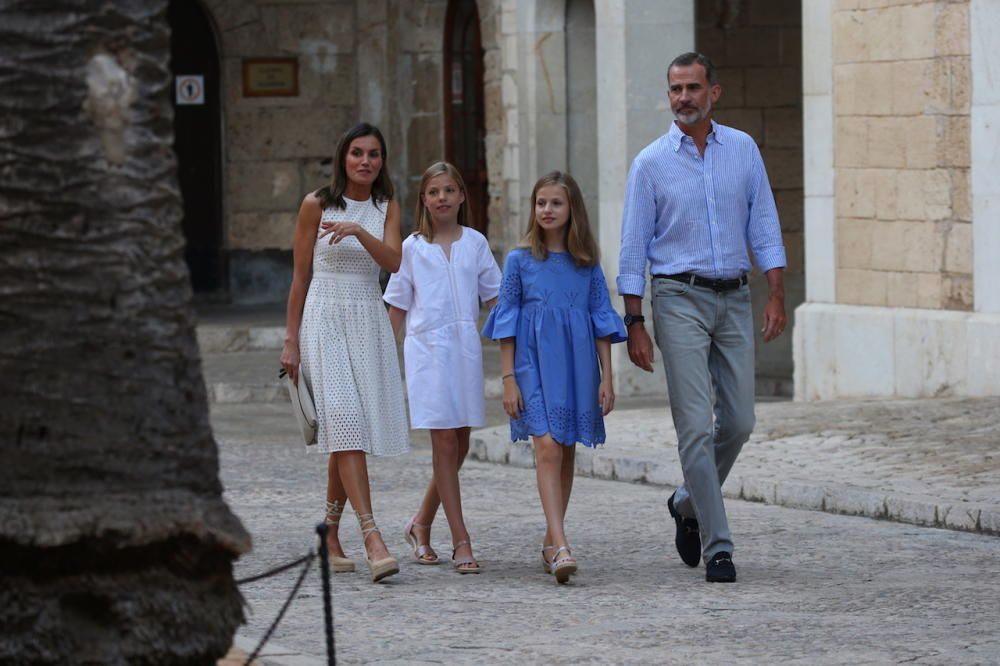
<point>696,198</point>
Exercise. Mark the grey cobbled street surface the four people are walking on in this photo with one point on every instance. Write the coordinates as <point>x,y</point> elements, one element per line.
<point>814,588</point>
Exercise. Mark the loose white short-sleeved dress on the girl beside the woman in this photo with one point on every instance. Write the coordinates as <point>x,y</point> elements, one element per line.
<point>442,353</point>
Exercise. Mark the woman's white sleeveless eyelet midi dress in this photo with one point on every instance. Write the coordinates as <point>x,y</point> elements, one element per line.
<point>347,350</point>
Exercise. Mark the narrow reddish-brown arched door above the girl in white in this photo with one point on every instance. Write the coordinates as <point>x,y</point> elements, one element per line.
<point>464,131</point>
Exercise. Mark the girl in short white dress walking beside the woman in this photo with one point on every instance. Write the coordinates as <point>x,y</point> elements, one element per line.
<point>447,270</point>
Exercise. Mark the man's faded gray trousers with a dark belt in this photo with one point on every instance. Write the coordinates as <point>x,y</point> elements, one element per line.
<point>706,338</point>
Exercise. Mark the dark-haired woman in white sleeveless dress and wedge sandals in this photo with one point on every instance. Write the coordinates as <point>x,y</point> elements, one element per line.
<point>338,330</point>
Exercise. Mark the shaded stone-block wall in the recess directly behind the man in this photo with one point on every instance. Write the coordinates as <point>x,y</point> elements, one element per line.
<point>757,47</point>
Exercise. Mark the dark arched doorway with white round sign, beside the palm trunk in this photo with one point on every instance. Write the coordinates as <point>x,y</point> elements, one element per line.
<point>198,142</point>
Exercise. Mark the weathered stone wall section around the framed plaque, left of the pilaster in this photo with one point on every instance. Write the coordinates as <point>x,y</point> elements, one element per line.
<point>274,147</point>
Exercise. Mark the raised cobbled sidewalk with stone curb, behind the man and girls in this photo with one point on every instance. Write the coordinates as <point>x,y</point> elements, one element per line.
<point>926,462</point>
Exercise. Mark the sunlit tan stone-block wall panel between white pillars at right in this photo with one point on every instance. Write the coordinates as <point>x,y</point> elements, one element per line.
<point>901,101</point>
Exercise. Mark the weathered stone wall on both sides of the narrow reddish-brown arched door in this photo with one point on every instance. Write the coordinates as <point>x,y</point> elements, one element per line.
<point>378,60</point>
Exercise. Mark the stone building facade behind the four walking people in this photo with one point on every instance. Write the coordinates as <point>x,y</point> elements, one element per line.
<point>877,121</point>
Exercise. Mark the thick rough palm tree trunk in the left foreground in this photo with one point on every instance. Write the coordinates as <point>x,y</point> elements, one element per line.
<point>116,544</point>
